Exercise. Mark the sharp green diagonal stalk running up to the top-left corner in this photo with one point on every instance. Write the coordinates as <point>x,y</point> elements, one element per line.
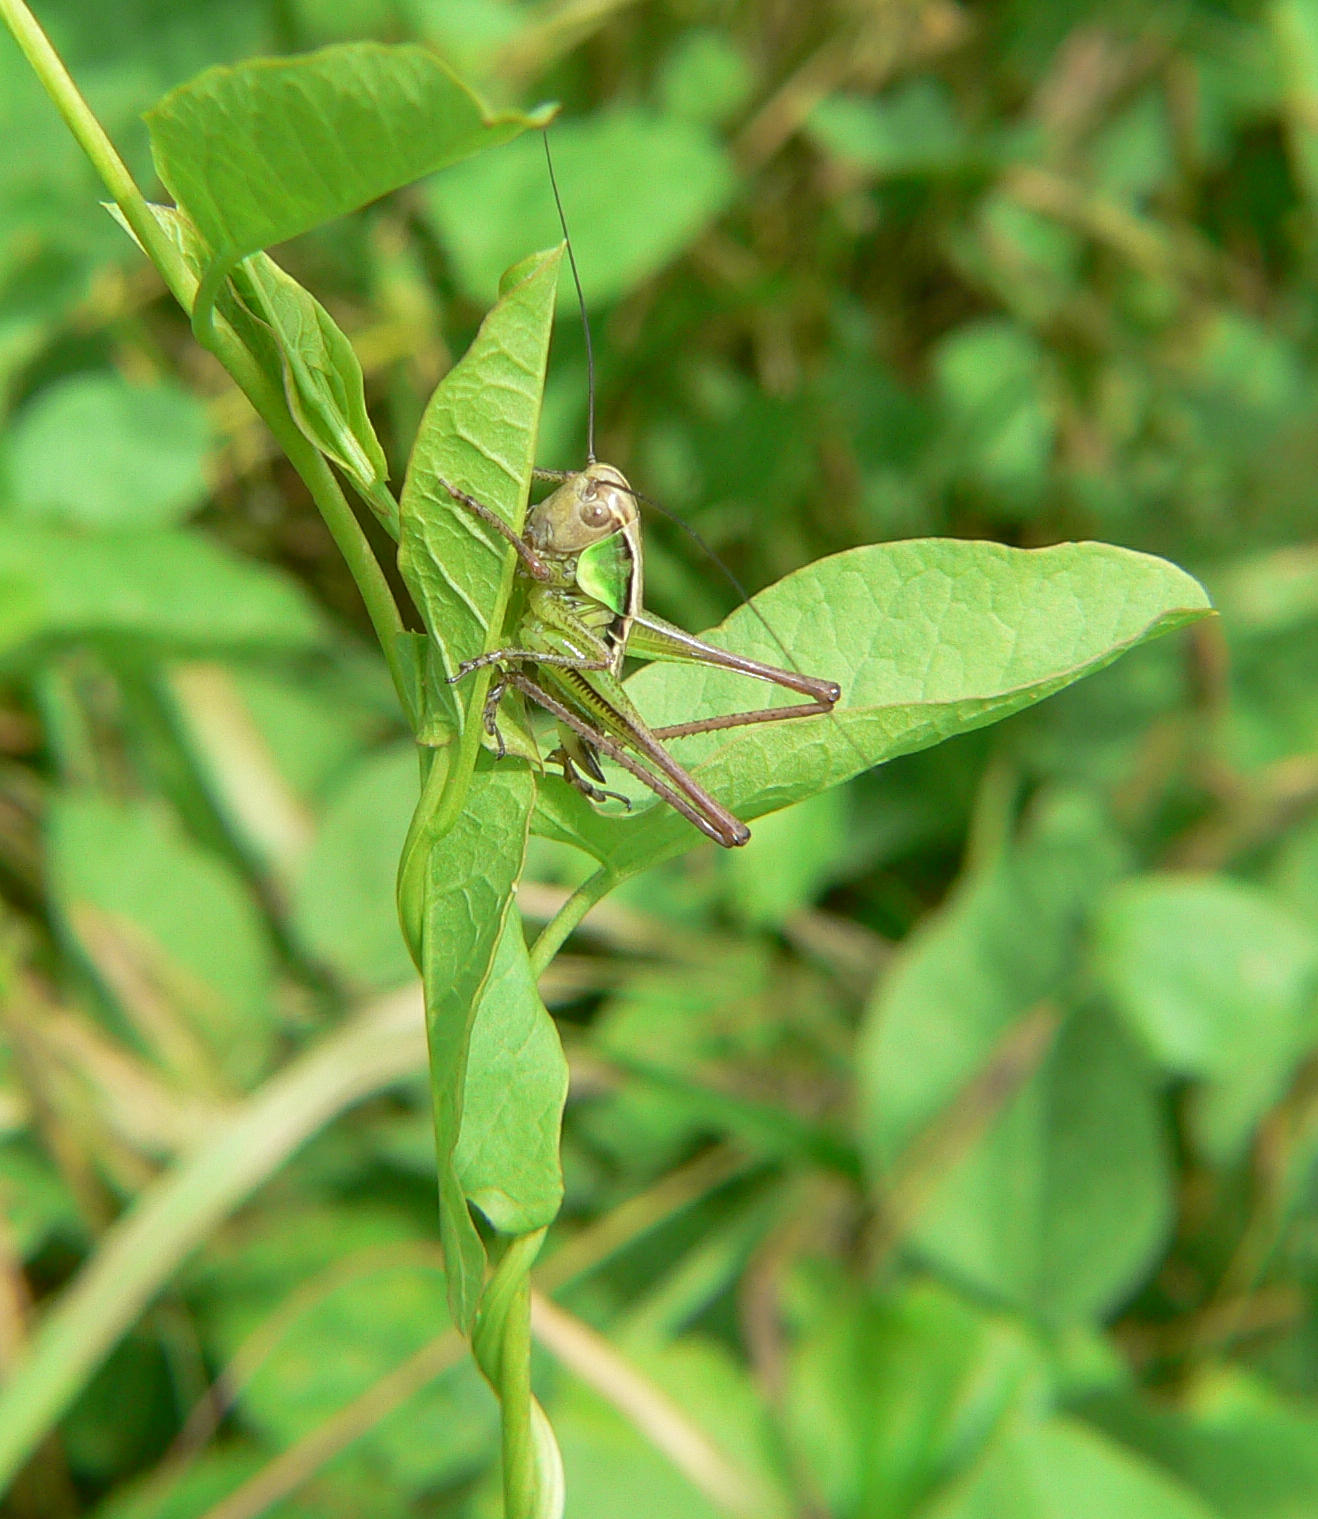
<point>225,346</point>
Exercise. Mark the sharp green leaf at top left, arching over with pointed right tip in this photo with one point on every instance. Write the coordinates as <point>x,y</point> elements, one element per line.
<point>271,148</point>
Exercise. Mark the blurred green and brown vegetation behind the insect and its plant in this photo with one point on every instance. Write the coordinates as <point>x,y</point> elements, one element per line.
<point>953,1151</point>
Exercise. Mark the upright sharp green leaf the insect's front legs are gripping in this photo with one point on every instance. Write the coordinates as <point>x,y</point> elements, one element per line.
<point>479,434</point>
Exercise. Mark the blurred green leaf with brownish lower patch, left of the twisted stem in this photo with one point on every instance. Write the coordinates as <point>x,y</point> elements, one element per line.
<point>172,933</point>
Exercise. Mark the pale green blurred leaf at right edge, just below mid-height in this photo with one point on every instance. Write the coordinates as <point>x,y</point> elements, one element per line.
<point>1219,982</point>
